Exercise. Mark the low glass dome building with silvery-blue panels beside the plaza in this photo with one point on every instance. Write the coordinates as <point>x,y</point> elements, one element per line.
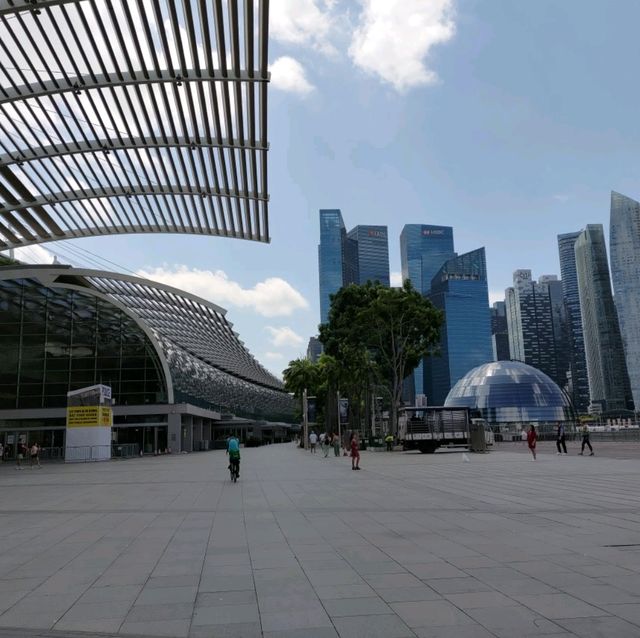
<point>512,393</point>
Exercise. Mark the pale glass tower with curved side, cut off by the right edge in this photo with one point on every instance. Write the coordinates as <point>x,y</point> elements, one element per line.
<point>624,243</point>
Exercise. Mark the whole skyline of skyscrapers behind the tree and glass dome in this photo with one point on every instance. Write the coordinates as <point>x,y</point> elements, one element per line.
<point>545,323</point>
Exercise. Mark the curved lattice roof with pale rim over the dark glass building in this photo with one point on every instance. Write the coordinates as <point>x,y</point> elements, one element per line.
<point>173,319</point>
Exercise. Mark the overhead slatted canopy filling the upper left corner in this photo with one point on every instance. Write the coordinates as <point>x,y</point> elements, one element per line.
<point>133,116</point>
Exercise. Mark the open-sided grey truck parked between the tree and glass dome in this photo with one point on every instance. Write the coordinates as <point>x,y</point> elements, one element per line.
<point>428,428</point>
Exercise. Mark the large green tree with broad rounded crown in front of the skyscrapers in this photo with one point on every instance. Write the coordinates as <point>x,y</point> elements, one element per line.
<point>397,327</point>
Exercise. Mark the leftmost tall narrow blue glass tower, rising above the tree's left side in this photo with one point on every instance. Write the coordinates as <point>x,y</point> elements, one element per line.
<point>331,257</point>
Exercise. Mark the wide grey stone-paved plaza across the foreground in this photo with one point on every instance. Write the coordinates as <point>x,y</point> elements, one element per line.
<point>413,545</point>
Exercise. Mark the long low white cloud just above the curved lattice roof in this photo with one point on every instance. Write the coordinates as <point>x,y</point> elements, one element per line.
<point>273,297</point>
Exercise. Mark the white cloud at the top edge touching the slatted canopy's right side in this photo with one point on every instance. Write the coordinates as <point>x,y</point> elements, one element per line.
<point>302,22</point>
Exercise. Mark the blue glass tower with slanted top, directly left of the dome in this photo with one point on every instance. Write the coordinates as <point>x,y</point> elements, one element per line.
<point>460,289</point>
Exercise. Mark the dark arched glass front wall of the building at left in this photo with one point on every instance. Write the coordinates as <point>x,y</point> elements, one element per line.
<point>55,340</point>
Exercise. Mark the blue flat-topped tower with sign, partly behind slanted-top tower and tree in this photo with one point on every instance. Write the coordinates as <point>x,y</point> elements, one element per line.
<point>423,251</point>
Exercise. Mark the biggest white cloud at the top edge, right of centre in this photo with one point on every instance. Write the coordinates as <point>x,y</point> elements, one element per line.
<point>394,38</point>
